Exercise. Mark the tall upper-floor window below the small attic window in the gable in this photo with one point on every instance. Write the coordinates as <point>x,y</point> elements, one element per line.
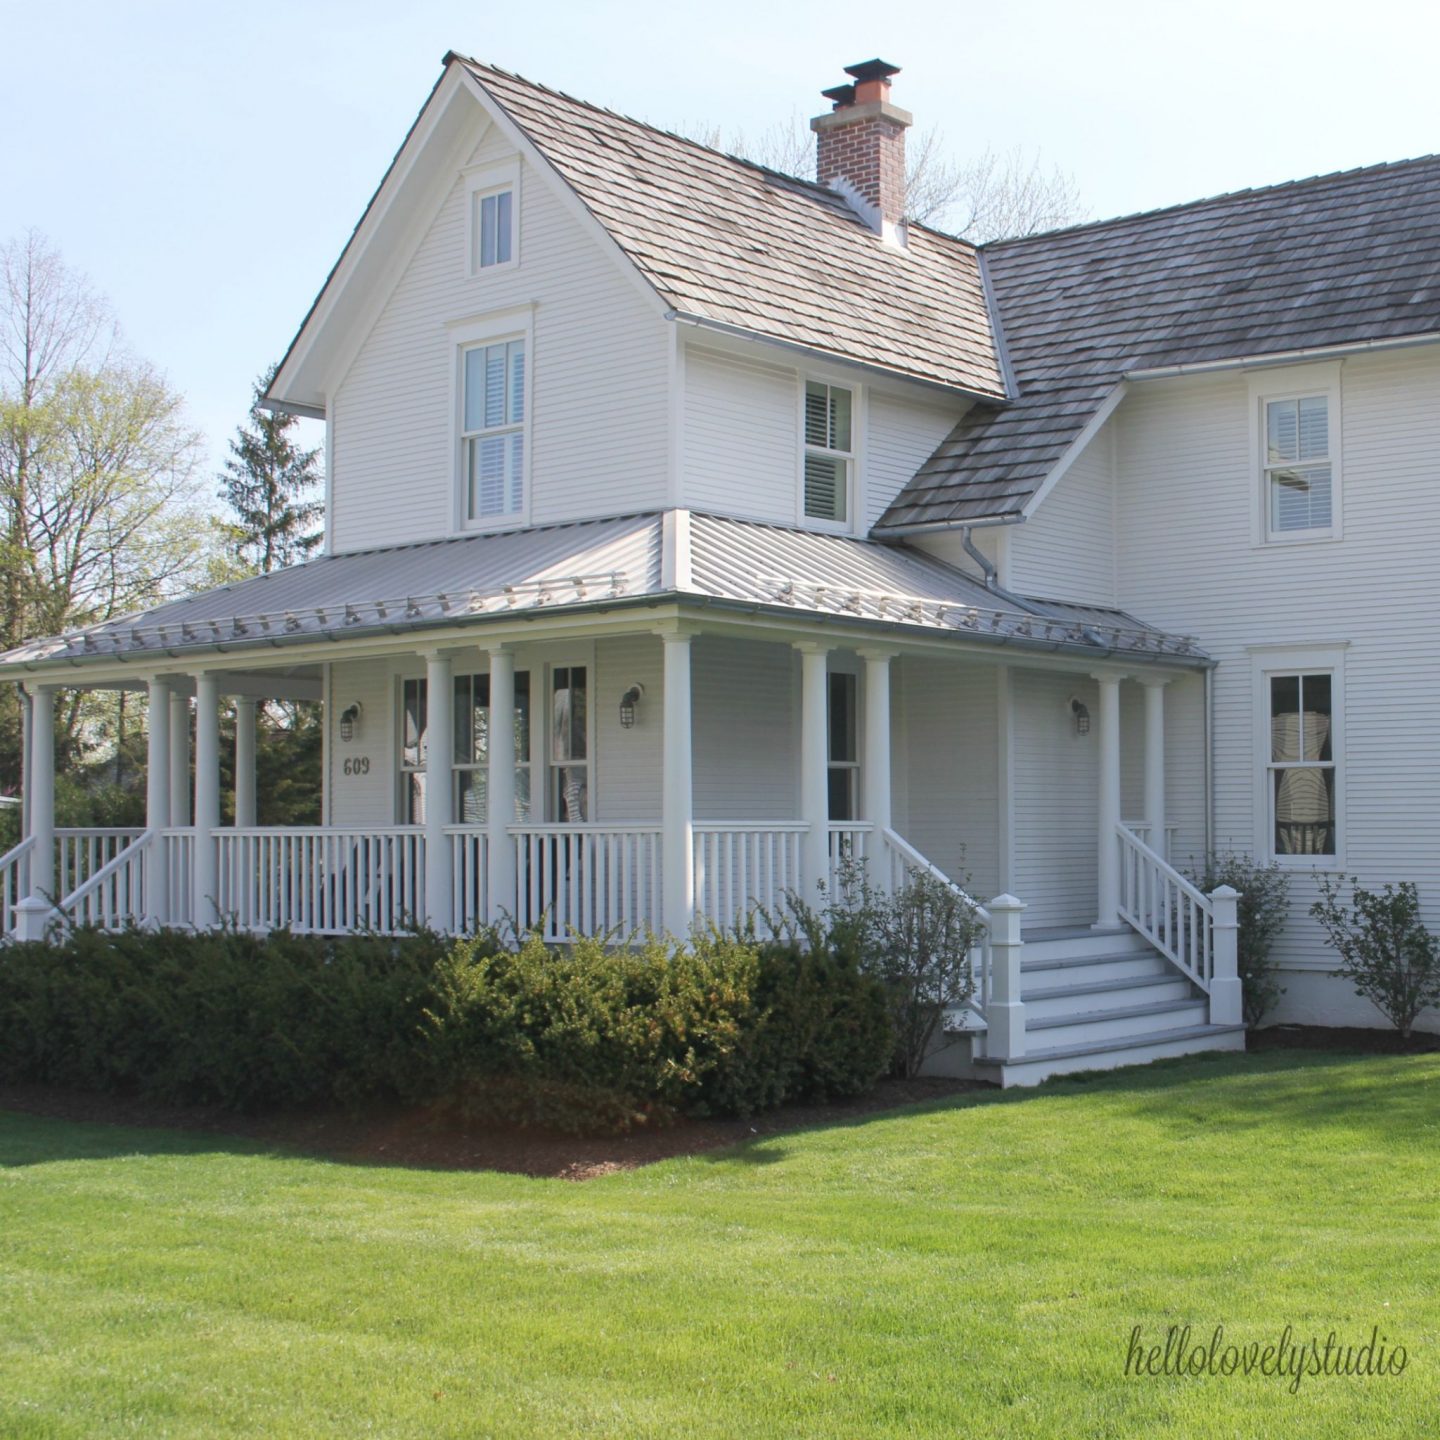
<point>493,430</point>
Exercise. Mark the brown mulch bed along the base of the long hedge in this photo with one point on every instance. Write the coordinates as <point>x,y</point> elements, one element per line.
<point>397,1137</point>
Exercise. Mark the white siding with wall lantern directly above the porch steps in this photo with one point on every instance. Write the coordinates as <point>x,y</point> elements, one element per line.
<point>1056,780</point>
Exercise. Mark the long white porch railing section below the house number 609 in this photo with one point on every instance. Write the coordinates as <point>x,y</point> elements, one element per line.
<point>320,879</point>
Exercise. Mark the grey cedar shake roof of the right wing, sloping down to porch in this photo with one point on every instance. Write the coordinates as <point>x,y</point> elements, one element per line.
<point>1318,263</point>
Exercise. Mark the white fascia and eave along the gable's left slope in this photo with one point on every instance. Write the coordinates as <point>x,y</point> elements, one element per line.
<point>294,390</point>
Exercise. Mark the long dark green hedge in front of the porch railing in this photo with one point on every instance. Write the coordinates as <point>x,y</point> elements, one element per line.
<point>577,1038</point>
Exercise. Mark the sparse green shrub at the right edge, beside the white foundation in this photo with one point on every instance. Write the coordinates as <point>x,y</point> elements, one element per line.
<point>1386,951</point>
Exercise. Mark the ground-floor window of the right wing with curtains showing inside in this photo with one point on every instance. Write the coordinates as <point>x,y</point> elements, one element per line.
<point>1302,765</point>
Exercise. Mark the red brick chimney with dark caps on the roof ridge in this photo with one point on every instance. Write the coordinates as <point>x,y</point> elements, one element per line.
<point>860,148</point>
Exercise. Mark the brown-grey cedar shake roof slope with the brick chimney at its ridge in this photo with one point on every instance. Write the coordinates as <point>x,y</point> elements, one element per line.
<point>738,246</point>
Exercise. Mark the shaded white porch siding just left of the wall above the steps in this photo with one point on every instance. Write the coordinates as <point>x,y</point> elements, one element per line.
<point>948,803</point>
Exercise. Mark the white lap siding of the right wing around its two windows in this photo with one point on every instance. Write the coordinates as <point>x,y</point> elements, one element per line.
<point>1189,482</point>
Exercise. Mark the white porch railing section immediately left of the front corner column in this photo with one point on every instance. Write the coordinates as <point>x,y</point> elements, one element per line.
<point>588,879</point>
